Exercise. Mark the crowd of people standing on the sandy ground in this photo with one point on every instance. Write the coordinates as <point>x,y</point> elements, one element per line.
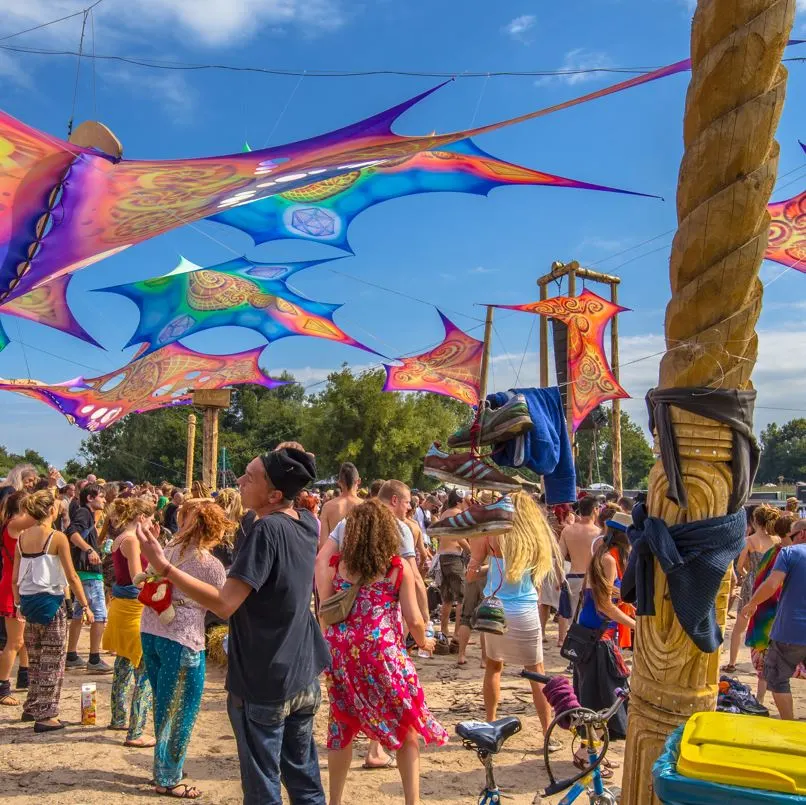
<point>353,584</point>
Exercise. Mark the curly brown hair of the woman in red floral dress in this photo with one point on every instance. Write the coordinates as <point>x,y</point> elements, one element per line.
<point>371,539</point>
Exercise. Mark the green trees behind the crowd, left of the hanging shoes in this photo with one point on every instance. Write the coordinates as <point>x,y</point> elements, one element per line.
<point>385,434</point>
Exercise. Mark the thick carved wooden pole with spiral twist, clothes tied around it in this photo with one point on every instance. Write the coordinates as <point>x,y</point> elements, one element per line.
<point>726,177</point>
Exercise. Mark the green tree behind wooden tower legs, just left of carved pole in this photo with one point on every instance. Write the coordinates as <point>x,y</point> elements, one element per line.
<point>596,464</point>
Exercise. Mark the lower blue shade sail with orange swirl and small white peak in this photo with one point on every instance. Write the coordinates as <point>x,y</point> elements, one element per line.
<point>238,293</point>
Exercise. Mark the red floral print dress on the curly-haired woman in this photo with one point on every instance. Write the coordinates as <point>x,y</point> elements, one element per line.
<point>372,684</point>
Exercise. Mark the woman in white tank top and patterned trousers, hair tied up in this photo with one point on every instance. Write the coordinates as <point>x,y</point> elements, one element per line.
<point>42,569</point>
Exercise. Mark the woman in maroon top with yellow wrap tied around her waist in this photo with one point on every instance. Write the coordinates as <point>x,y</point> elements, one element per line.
<point>122,633</point>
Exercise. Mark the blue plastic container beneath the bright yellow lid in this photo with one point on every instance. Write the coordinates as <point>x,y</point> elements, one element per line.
<point>674,789</point>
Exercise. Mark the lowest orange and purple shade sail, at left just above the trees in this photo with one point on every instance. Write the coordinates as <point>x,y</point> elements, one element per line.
<point>164,378</point>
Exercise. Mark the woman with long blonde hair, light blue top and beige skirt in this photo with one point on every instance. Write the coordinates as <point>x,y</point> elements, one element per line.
<point>519,561</point>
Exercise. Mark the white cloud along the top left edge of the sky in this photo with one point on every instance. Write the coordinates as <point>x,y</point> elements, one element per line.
<point>209,22</point>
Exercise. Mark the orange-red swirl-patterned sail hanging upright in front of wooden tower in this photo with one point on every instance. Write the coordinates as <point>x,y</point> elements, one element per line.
<point>591,379</point>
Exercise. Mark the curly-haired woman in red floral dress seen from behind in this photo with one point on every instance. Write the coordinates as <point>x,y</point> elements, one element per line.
<point>372,684</point>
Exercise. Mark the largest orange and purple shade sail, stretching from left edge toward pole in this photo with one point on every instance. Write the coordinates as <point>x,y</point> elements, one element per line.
<point>102,205</point>
